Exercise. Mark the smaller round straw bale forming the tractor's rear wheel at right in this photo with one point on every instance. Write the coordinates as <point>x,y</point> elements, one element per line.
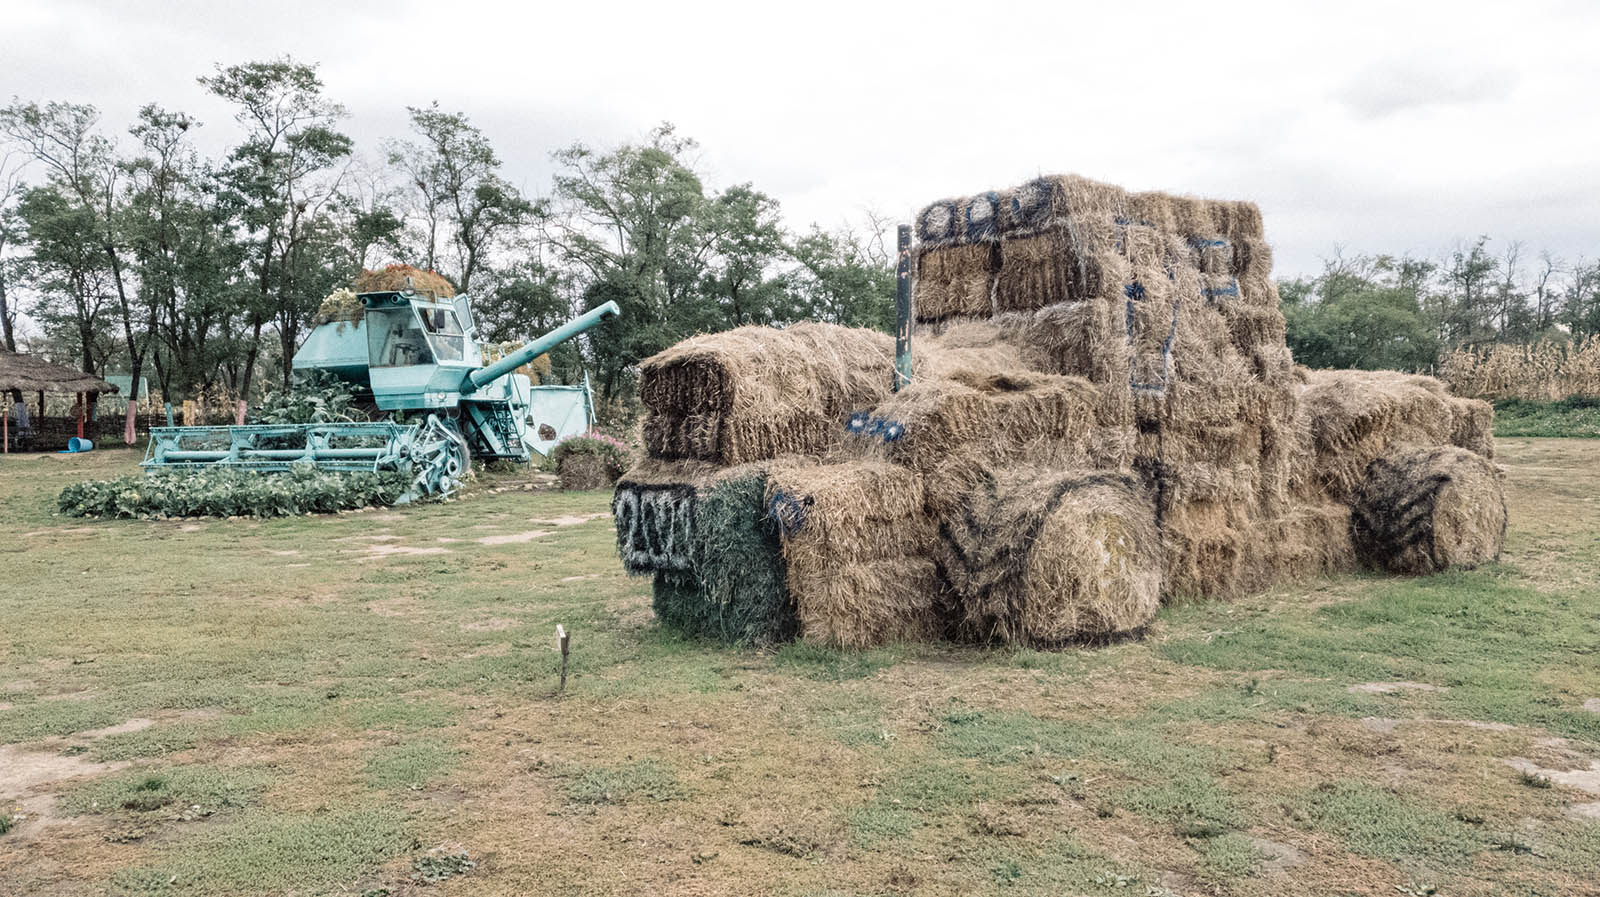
<point>1430,509</point>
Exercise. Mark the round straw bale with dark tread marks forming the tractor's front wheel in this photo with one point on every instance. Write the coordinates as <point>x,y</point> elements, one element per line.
<point>1047,559</point>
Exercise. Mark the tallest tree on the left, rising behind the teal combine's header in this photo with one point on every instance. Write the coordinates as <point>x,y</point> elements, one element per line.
<point>284,188</point>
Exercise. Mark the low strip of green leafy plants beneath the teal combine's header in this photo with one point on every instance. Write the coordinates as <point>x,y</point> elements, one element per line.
<point>231,493</point>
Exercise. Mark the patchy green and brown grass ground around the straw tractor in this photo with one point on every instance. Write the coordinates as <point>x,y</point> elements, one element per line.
<point>364,704</point>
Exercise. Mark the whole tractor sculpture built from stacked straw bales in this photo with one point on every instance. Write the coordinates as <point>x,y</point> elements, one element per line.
<point>1103,417</point>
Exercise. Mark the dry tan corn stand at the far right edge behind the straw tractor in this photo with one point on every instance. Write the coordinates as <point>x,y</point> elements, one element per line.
<point>1540,372</point>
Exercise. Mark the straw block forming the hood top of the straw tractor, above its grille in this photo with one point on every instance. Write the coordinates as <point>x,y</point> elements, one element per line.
<point>754,394</point>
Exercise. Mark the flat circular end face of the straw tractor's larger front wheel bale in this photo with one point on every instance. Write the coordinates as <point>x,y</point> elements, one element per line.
<point>1095,570</point>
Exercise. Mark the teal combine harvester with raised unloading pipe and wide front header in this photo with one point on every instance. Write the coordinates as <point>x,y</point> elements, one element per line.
<point>409,354</point>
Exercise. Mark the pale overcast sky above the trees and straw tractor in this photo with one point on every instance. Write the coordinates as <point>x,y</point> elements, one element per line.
<point>1380,127</point>
